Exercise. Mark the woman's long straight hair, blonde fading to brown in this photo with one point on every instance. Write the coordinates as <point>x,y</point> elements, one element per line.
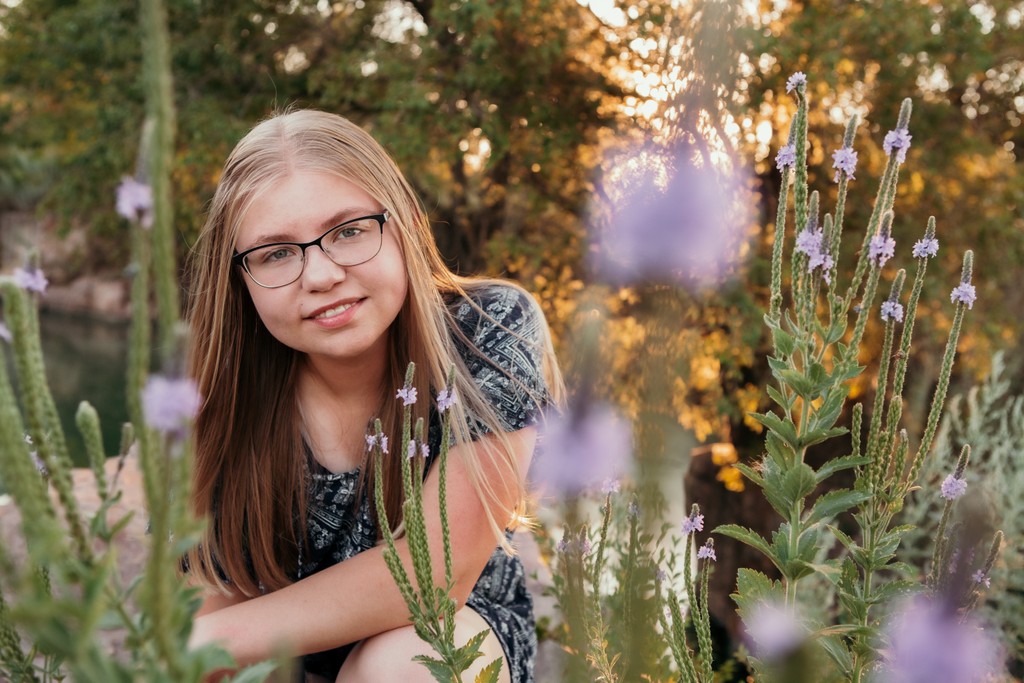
<point>250,477</point>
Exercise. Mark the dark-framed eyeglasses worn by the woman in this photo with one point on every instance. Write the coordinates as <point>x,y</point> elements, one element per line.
<point>281,264</point>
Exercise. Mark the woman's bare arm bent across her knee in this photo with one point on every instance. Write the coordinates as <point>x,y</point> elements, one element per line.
<point>359,599</point>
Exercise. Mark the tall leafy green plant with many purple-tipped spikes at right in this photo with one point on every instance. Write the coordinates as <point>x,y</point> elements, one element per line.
<point>817,333</point>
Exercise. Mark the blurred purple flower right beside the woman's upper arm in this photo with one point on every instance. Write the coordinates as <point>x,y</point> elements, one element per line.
<point>579,451</point>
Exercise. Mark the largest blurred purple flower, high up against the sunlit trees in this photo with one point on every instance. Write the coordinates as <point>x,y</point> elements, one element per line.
<point>675,218</point>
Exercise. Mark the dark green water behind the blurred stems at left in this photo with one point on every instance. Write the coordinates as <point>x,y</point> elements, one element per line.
<point>87,360</point>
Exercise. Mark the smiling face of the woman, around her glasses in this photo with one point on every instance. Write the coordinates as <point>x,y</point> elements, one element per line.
<point>331,313</point>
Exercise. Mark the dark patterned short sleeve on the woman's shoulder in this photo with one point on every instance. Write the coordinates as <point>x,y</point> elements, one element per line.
<point>507,355</point>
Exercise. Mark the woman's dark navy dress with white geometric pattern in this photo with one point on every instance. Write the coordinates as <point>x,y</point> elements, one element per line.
<point>339,521</point>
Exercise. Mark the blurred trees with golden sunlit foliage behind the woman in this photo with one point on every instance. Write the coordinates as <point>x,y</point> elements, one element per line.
<point>511,119</point>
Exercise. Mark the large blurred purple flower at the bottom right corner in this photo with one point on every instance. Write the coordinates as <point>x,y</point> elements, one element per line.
<point>929,644</point>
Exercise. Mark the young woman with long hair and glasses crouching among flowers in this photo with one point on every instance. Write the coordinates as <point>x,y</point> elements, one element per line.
<point>316,282</point>
